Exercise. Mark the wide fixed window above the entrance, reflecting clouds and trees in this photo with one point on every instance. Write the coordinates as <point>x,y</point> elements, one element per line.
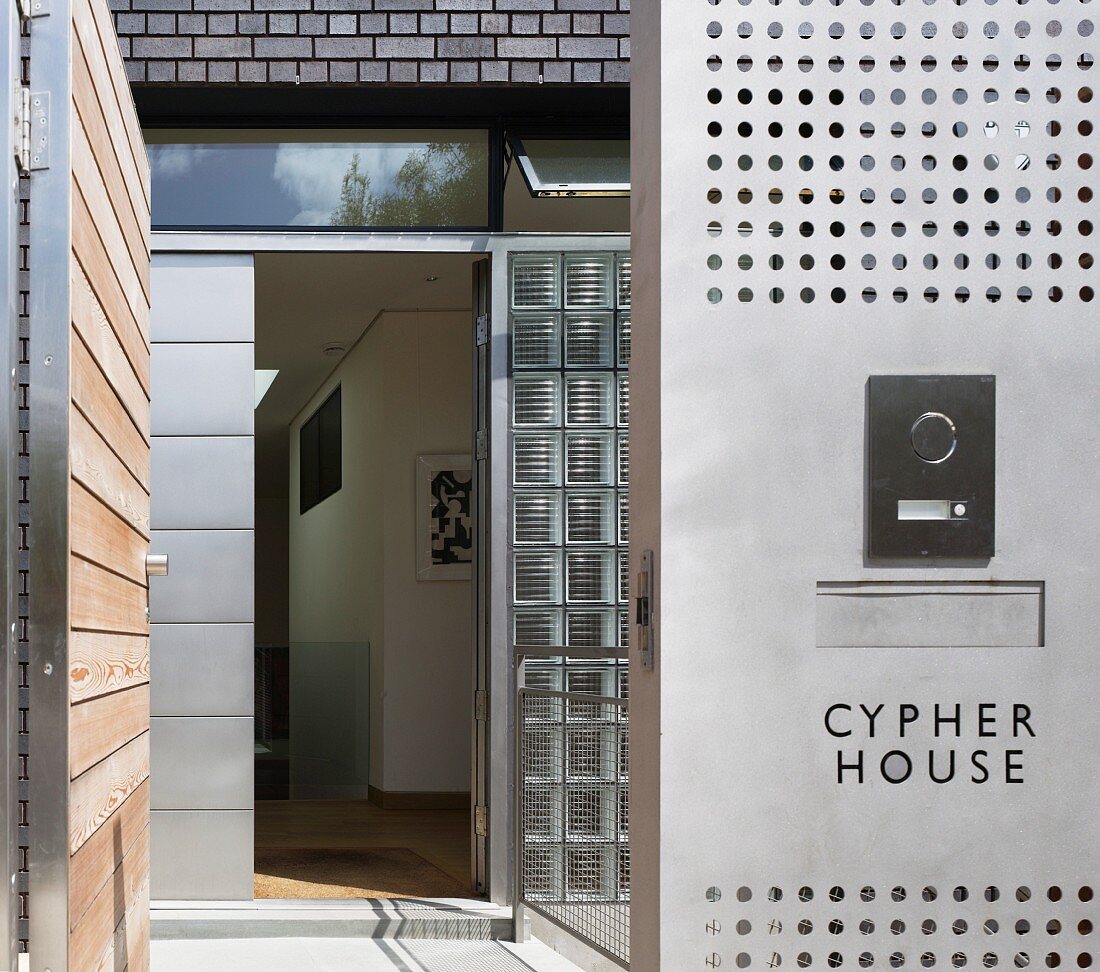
<point>337,180</point>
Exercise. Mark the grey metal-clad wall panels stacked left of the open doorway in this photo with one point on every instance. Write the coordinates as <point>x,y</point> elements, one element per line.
<point>202,614</point>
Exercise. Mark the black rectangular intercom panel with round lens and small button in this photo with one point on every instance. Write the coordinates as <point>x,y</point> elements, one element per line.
<point>932,467</point>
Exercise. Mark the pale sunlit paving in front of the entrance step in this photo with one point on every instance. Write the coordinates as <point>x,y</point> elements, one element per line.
<point>354,955</point>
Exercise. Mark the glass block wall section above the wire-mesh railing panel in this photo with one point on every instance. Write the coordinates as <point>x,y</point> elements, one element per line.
<point>570,326</point>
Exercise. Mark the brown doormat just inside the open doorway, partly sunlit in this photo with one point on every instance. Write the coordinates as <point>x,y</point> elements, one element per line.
<point>339,874</point>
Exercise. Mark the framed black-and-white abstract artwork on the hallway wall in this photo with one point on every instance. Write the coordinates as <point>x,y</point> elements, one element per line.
<point>445,518</point>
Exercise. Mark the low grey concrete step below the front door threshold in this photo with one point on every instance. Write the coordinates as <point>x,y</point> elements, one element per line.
<point>452,920</point>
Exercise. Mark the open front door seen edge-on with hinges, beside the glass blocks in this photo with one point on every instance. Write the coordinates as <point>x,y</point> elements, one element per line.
<point>480,757</point>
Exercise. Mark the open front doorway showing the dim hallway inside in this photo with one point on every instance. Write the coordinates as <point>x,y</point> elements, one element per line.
<point>364,601</point>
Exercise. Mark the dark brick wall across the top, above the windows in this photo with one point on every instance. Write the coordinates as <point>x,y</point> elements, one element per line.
<point>380,41</point>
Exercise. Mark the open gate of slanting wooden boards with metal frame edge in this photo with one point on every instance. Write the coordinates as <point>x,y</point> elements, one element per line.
<point>87,501</point>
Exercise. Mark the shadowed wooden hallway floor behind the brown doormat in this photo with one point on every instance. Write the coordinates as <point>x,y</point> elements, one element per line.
<point>441,837</point>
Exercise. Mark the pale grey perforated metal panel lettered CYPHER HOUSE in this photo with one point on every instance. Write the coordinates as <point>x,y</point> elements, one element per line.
<point>827,191</point>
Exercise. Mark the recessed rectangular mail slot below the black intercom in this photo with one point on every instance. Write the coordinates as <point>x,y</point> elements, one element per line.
<point>907,614</point>
